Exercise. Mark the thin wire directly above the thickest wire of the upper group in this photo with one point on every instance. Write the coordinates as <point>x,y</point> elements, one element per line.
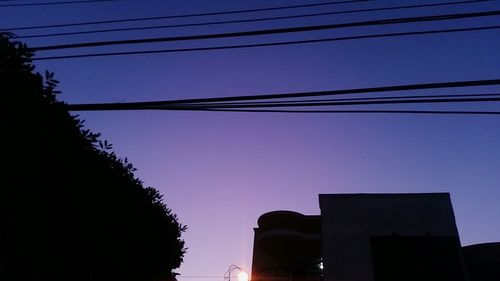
<point>249,20</point>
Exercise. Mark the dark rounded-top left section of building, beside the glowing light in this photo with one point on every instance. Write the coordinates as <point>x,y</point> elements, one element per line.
<point>287,246</point>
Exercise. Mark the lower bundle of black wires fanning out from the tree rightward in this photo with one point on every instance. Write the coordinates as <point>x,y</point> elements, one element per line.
<point>220,104</point>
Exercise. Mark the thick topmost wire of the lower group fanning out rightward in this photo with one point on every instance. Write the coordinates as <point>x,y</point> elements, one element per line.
<point>201,101</point>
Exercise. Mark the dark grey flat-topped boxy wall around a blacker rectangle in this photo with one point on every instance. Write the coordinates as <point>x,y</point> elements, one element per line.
<point>351,221</point>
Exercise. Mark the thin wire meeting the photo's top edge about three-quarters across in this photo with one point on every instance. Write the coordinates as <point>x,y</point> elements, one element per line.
<point>190,15</point>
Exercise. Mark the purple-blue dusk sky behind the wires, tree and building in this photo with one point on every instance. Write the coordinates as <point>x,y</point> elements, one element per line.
<point>220,171</point>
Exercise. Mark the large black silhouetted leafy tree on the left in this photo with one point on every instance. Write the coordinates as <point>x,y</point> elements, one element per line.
<point>70,209</point>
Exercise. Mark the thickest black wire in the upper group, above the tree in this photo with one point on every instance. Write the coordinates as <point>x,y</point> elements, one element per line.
<point>269,31</point>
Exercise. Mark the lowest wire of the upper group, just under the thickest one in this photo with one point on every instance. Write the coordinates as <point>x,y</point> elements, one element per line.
<point>347,38</point>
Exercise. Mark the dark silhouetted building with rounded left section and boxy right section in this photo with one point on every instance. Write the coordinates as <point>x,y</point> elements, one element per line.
<point>370,237</point>
